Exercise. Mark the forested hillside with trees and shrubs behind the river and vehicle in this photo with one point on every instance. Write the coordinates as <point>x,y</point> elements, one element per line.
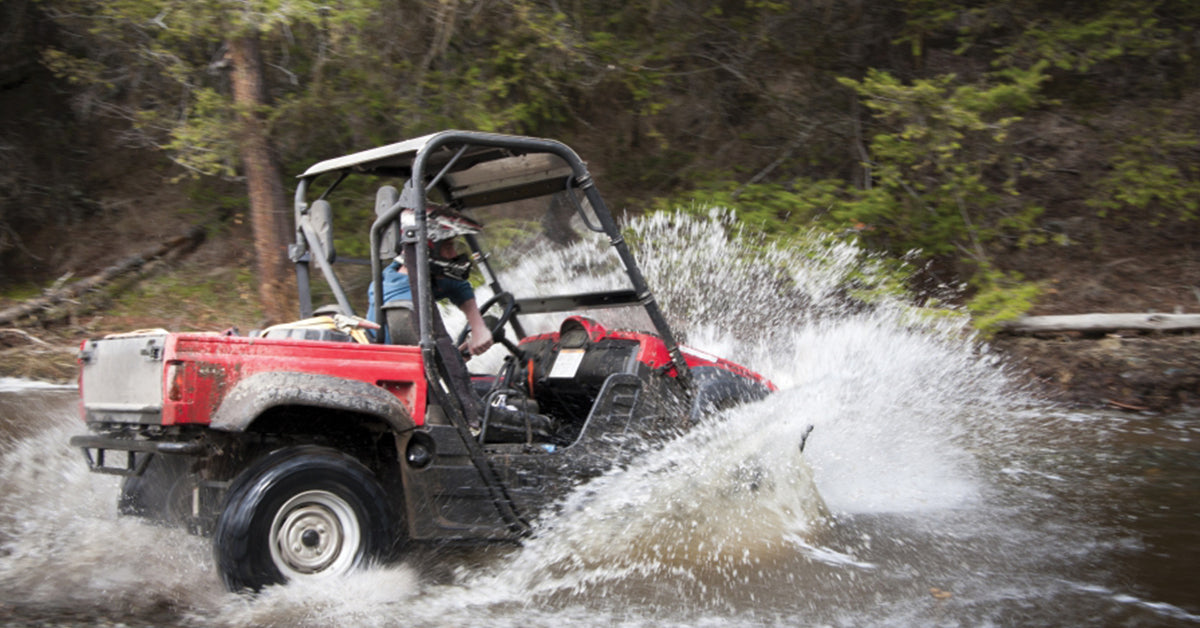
<point>1043,154</point>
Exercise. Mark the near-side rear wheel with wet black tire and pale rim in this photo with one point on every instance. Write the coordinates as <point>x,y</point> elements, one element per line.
<point>302,512</point>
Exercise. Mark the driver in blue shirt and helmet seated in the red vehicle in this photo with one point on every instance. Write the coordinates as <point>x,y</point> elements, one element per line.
<point>449,272</point>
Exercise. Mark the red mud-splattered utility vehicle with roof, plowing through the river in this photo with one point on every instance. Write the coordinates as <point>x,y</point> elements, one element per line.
<point>314,448</point>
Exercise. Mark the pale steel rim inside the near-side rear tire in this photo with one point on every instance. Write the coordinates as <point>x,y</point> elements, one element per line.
<point>315,534</point>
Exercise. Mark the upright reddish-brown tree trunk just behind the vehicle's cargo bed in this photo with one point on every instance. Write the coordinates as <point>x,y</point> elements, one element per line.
<point>269,208</point>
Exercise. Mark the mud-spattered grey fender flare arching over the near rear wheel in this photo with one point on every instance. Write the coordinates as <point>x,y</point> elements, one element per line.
<point>262,392</point>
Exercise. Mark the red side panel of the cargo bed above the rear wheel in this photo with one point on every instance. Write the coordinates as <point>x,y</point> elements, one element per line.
<point>202,369</point>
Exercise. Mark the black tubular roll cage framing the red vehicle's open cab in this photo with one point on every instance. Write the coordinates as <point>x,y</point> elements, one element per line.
<point>430,160</point>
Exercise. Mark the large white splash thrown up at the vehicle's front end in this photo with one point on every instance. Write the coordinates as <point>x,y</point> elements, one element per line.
<point>884,393</point>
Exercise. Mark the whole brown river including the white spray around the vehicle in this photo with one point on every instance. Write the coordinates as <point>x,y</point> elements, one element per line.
<point>933,491</point>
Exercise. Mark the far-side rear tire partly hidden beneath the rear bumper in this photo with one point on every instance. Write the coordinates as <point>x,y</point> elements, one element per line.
<point>163,494</point>
